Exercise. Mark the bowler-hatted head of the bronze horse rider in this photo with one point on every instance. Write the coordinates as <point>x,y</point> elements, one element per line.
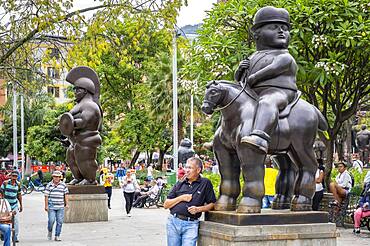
<point>271,28</point>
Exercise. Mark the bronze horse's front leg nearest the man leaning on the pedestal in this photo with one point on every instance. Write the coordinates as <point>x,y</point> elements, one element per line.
<point>229,167</point>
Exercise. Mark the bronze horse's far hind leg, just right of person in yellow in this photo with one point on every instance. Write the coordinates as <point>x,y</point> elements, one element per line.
<point>284,182</point>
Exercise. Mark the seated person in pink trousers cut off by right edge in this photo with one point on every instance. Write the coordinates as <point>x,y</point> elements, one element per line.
<point>363,209</point>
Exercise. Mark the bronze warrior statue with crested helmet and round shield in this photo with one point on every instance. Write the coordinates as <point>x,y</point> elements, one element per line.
<point>82,124</point>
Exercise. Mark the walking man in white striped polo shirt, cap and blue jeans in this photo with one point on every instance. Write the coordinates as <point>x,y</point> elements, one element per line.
<point>55,201</point>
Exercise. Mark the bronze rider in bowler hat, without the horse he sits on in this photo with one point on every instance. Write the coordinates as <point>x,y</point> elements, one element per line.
<point>270,72</point>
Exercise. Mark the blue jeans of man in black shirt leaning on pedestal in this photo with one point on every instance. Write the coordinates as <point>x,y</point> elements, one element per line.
<point>181,232</point>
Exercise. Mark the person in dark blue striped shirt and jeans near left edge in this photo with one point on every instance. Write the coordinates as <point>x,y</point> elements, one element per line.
<point>12,193</point>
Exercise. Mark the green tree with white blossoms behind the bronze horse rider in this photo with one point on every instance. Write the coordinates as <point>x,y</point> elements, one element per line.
<point>328,42</point>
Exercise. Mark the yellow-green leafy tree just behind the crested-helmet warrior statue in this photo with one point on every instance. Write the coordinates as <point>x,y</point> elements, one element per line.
<point>118,46</point>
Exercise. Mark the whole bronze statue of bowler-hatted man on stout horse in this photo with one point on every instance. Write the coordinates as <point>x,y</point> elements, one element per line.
<point>265,115</point>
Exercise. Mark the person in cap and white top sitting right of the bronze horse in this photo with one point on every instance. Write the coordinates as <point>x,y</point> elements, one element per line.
<point>342,184</point>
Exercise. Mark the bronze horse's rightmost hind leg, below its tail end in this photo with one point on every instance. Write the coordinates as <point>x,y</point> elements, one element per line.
<point>304,189</point>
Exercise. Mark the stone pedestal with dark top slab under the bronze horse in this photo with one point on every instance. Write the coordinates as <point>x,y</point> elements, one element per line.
<point>269,228</point>
